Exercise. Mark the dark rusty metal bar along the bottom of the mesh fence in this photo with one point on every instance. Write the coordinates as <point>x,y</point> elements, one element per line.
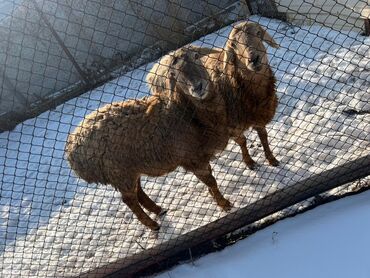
<point>265,206</point>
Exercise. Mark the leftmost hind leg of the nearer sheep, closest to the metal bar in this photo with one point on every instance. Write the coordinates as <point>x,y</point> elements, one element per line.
<point>131,200</point>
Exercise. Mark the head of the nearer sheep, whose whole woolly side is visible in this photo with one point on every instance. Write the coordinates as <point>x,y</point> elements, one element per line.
<point>188,75</point>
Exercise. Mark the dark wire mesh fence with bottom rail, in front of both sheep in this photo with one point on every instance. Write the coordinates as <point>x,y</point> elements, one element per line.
<point>61,61</point>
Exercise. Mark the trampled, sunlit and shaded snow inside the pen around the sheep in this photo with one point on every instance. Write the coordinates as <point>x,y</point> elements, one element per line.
<point>53,224</point>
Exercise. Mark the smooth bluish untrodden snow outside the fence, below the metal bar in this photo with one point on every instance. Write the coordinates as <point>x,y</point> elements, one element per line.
<point>330,241</point>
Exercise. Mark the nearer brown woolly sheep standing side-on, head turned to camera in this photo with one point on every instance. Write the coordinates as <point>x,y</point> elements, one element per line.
<point>122,141</point>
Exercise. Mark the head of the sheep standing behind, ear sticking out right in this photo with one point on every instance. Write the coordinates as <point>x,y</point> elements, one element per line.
<point>245,47</point>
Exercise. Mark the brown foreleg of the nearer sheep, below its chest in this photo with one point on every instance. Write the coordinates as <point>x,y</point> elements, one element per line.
<point>205,175</point>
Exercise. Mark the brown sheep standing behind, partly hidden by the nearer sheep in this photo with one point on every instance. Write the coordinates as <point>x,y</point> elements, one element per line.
<point>240,71</point>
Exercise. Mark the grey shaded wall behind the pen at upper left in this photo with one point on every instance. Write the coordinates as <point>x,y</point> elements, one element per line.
<point>95,36</point>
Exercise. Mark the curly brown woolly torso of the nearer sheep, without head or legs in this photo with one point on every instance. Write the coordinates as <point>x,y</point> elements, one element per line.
<point>140,137</point>
